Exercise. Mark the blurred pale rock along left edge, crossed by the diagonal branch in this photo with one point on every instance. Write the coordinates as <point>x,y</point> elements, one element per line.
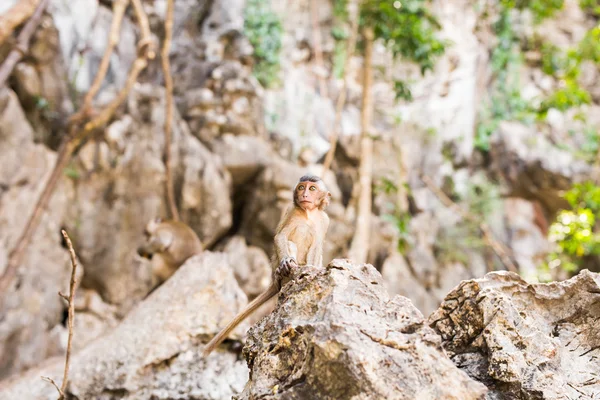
<point>31,307</point>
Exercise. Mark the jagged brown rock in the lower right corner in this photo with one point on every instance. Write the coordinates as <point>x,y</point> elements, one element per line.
<point>525,341</point>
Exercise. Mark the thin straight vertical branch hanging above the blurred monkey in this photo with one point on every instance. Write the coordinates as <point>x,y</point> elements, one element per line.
<point>169,109</point>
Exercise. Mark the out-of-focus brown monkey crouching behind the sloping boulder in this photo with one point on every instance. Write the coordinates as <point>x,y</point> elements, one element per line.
<point>169,244</point>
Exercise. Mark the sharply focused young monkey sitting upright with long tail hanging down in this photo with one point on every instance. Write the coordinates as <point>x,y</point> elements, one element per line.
<point>298,241</point>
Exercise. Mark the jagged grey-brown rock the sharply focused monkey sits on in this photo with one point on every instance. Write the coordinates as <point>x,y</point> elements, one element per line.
<point>336,334</point>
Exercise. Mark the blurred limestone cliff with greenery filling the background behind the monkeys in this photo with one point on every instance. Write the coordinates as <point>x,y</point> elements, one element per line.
<point>473,126</point>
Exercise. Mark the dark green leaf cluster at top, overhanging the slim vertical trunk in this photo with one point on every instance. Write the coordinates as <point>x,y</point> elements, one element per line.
<point>407,27</point>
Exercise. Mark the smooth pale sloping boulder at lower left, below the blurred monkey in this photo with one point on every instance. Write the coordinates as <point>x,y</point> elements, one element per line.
<point>155,352</point>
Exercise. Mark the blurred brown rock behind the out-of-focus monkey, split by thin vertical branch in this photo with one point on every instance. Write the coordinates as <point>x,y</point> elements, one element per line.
<point>120,187</point>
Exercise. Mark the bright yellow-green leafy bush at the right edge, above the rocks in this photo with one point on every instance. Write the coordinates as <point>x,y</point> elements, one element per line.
<point>574,232</point>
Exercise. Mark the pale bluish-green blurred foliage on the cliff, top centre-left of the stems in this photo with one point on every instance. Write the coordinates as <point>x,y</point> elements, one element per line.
<point>263,29</point>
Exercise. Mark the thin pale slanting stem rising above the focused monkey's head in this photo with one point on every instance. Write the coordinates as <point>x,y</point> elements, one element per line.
<point>353,9</point>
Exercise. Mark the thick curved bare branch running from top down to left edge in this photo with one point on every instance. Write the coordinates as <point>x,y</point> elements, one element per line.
<point>76,136</point>
